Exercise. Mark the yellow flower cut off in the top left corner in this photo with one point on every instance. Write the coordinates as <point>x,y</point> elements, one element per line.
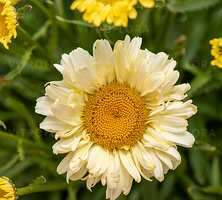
<point>8,22</point>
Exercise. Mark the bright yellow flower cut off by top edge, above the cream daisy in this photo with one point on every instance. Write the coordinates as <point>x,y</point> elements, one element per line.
<point>115,12</point>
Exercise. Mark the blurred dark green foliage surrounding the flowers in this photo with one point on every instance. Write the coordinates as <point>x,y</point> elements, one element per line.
<point>46,30</point>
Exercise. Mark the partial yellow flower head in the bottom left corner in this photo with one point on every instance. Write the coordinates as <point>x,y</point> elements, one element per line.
<point>7,190</point>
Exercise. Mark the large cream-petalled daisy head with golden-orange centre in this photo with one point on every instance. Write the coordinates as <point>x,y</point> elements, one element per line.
<point>118,115</point>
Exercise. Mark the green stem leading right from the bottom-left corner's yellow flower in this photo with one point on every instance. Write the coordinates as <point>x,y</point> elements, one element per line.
<point>53,186</point>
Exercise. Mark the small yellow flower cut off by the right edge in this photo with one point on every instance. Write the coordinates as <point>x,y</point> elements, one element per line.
<point>216,52</point>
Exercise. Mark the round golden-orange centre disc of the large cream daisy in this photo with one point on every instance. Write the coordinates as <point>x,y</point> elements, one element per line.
<point>115,116</point>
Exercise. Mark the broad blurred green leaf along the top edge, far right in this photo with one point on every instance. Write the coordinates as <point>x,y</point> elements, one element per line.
<point>190,5</point>
